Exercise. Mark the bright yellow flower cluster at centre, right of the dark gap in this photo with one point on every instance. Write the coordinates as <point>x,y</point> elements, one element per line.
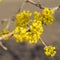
<point>36,27</point>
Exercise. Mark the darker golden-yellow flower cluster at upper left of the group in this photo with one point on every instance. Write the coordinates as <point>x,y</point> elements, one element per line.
<point>22,18</point>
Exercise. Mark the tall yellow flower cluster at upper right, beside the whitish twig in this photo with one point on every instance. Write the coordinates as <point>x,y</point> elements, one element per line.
<point>47,16</point>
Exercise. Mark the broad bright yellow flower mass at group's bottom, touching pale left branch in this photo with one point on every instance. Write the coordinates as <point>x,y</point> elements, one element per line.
<point>21,34</point>
